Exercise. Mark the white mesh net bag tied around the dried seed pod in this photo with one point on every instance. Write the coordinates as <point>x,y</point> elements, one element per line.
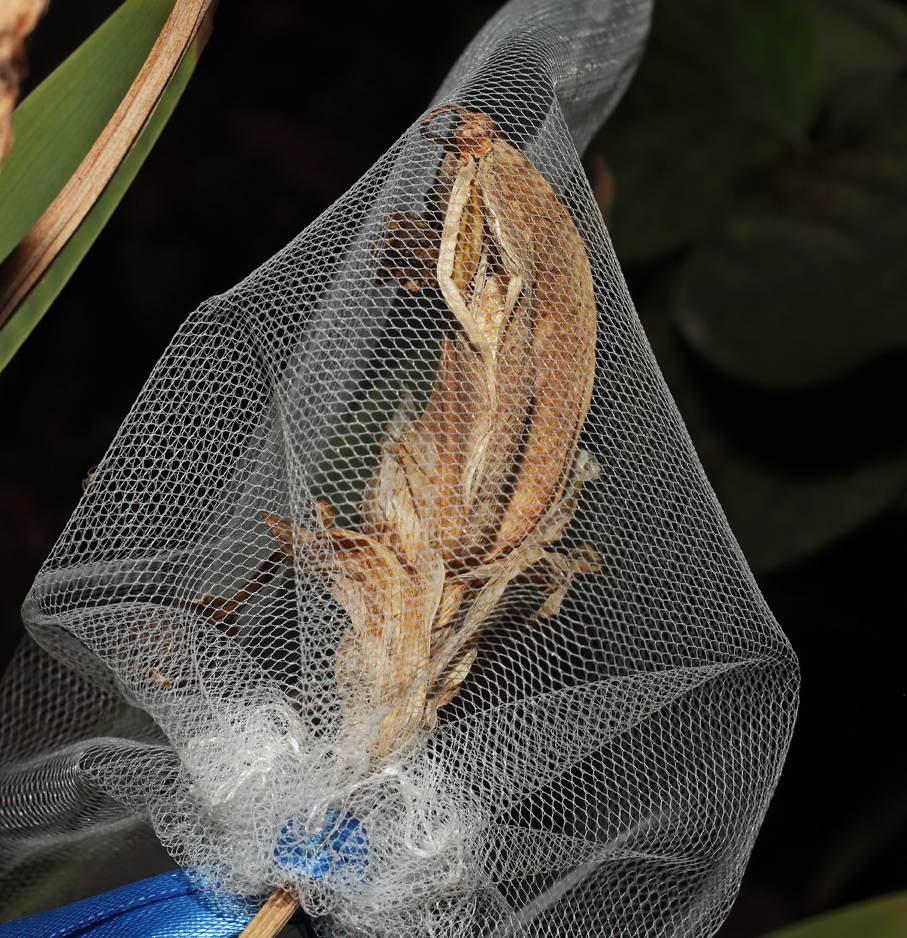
<point>401,587</point>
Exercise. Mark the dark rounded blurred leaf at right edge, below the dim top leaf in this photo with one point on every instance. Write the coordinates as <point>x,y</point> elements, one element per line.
<point>805,279</point>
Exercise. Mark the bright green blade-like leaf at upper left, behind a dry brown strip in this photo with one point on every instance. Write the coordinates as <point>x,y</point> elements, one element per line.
<point>76,102</point>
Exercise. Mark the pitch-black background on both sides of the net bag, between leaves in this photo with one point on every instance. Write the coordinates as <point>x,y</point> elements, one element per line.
<point>290,104</point>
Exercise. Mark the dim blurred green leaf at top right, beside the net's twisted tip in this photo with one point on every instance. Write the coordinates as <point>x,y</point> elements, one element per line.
<point>724,85</point>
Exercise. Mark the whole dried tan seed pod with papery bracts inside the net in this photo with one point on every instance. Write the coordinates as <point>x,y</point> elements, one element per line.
<point>467,496</point>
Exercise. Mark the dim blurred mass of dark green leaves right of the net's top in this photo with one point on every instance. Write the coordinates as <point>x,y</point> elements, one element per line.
<point>760,213</point>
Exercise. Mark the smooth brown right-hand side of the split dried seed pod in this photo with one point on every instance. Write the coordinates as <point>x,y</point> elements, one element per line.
<point>533,229</point>
